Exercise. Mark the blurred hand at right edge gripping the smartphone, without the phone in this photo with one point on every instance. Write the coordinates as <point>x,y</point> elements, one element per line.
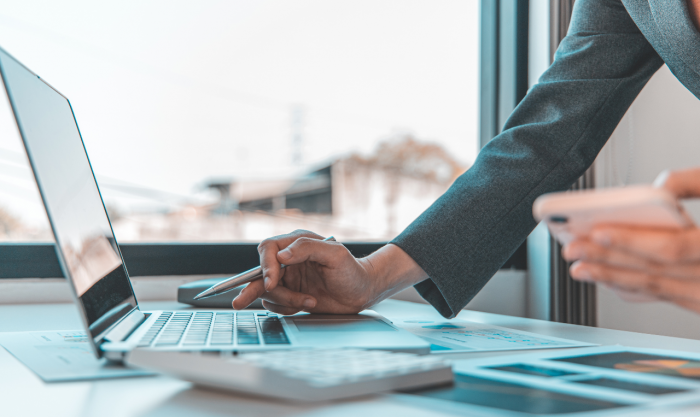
<point>644,264</point>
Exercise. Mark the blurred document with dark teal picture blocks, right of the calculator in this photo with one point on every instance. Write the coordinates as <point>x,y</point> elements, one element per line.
<point>604,380</point>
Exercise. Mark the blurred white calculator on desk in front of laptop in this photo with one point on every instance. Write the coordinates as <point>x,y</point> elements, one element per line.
<point>300,375</point>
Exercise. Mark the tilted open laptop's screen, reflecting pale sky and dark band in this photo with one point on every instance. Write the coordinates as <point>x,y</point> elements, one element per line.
<point>87,250</point>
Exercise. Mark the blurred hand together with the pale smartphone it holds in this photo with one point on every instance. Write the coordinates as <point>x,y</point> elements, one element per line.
<point>638,240</point>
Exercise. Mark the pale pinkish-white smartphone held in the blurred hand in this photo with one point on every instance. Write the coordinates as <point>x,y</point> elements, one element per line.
<point>573,214</point>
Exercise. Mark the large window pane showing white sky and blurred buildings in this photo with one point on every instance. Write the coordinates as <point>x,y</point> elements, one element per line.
<point>238,120</point>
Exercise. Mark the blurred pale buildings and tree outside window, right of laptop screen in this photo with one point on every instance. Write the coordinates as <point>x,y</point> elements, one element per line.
<point>351,198</point>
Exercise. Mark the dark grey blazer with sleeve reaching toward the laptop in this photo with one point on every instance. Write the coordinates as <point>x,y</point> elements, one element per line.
<point>611,50</point>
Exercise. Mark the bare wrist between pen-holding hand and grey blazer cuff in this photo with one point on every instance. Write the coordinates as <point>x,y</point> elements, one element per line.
<point>393,271</point>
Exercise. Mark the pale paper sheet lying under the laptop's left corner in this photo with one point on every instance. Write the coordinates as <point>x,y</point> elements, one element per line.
<point>62,356</point>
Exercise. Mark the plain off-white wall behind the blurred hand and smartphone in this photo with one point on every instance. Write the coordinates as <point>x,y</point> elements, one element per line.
<point>660,131</point>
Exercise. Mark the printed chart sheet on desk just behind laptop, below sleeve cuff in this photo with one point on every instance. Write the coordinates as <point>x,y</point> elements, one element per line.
<point>467,336</point>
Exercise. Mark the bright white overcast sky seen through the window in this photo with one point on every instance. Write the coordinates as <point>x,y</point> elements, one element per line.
<point>169,95</point>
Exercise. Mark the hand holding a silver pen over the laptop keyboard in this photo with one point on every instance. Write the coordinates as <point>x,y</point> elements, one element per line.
<point>321,277</point>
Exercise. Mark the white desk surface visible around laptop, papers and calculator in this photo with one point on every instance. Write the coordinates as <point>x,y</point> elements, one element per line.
<point>24,394</point>
